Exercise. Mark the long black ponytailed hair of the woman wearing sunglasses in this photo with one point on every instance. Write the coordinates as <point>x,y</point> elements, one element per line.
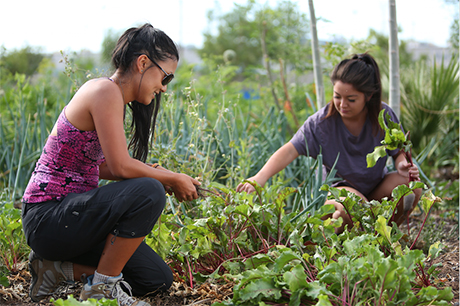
<point>158,46</point>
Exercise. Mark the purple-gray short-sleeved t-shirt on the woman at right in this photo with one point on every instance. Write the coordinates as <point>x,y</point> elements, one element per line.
<point>331,137</point>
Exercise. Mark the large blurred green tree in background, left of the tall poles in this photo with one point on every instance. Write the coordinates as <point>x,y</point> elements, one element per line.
<point>241,30</point>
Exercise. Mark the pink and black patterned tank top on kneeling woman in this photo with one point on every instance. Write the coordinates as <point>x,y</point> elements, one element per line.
<point>69,163</point>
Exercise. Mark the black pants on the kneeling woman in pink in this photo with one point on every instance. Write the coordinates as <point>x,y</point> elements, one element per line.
<point>76,228</point>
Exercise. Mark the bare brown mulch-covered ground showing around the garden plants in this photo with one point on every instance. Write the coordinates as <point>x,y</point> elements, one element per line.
<point>208,293</point>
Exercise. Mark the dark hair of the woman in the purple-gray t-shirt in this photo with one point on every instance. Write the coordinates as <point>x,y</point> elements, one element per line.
<point>361,71</point>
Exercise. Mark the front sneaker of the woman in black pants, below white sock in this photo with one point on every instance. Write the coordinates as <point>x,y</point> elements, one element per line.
<point>110,290</point>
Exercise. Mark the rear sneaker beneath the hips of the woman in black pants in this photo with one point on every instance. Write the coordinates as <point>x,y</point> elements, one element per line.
<point>46,277</point>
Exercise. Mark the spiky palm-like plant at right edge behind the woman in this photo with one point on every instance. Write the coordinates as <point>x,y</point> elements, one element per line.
<point>429,95</point>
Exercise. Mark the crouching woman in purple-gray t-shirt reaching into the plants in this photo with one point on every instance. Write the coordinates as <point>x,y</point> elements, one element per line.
<point>347,125</point>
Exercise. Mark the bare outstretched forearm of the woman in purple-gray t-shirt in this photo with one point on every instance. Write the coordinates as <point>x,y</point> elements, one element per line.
<point>277,162</point>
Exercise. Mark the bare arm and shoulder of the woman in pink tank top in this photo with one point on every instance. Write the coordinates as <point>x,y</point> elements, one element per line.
<point>101,105</point>
